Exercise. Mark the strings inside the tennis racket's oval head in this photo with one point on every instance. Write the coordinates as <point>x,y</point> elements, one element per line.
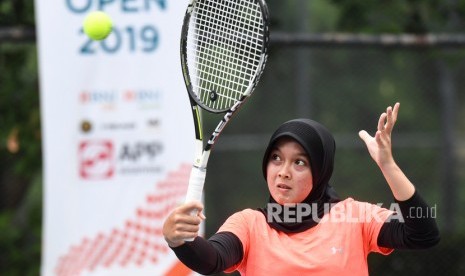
<point>224,50</point>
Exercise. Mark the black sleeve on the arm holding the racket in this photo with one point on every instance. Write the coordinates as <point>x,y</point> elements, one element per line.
<point>211,256</point>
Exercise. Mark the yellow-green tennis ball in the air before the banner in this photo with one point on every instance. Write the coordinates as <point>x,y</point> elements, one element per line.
<point>97,25</point>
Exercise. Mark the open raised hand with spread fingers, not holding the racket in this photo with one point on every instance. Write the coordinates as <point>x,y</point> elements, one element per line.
<point>380,146</point>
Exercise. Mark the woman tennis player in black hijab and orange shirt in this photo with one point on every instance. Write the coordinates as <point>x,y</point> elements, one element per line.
<point>306,229</point>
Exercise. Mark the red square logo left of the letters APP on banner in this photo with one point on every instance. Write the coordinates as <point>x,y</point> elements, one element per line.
<point>96,160</point>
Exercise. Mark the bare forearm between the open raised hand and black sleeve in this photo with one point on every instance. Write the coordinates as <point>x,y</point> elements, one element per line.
<point>400,185</point>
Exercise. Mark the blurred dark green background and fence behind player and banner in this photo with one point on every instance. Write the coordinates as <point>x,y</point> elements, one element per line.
<point>338,62</point>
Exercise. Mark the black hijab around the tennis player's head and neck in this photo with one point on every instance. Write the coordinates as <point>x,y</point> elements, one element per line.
<point>320,147</point>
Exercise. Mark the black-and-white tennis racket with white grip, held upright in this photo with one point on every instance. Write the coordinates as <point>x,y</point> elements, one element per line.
<point>223,53</point>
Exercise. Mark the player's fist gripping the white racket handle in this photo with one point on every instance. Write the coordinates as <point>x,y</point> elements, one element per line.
<point>181,224</point>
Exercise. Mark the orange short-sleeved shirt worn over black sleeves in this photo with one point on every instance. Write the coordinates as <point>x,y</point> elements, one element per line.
<point>338,245</point>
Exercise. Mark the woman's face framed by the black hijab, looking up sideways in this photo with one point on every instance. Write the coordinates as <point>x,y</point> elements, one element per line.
<point>288,172</point>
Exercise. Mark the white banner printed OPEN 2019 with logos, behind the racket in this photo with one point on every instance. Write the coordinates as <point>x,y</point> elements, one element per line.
<point>117,136</point>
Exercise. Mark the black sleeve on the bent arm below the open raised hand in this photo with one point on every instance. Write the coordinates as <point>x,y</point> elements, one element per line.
<point>418,231</point>
